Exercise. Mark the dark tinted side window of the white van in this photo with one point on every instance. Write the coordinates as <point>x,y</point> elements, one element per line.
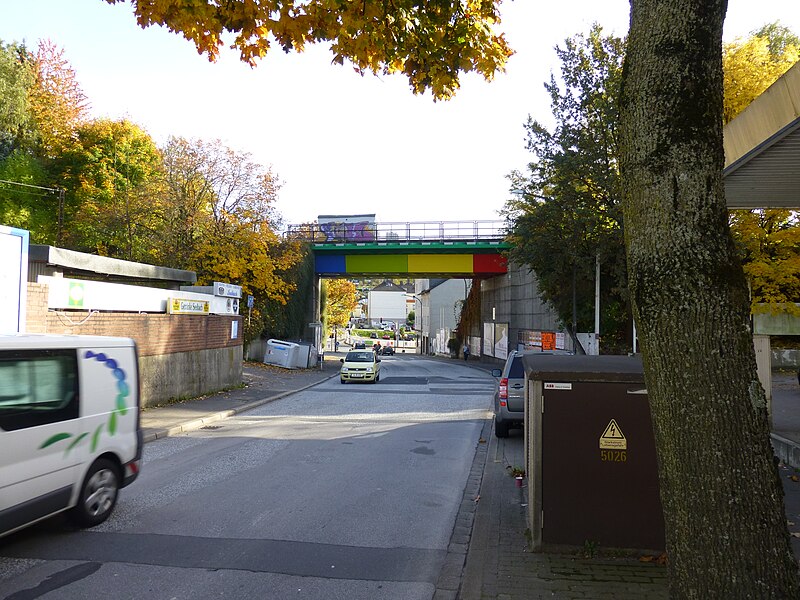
<point>37,387</point>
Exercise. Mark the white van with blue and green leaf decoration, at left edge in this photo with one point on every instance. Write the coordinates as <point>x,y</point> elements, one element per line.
<point>69,427</point>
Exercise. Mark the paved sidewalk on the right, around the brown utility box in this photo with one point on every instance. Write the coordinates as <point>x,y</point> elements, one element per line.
<point>499,566</point>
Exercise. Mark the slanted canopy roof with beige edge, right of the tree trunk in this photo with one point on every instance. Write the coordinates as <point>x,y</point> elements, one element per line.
<point>762,149</point>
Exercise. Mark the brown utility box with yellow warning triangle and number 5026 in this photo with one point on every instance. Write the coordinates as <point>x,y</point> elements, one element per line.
<point>590,454</point>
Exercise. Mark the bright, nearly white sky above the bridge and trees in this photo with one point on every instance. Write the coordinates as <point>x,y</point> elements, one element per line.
<point>339,142</point>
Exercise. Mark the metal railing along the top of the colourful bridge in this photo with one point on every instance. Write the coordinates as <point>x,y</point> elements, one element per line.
<point>422,231</point>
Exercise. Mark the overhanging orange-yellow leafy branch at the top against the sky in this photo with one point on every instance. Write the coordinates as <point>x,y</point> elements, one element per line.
<point>432,44</point>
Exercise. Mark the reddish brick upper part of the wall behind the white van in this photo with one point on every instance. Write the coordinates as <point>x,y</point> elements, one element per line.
<point>155,334</point>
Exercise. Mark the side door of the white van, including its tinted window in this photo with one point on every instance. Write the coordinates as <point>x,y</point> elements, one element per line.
<point>39,407</point>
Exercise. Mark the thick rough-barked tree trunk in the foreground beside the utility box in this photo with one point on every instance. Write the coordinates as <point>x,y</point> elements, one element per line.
<point>722,496</point>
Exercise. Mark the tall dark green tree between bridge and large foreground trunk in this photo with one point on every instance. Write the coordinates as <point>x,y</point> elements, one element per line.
<point>568,207</point>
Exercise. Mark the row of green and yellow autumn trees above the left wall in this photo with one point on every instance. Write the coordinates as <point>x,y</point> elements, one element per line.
<point>105,187</point>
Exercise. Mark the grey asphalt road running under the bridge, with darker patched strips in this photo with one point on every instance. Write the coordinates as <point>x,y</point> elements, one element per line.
<point>341,491</point>
